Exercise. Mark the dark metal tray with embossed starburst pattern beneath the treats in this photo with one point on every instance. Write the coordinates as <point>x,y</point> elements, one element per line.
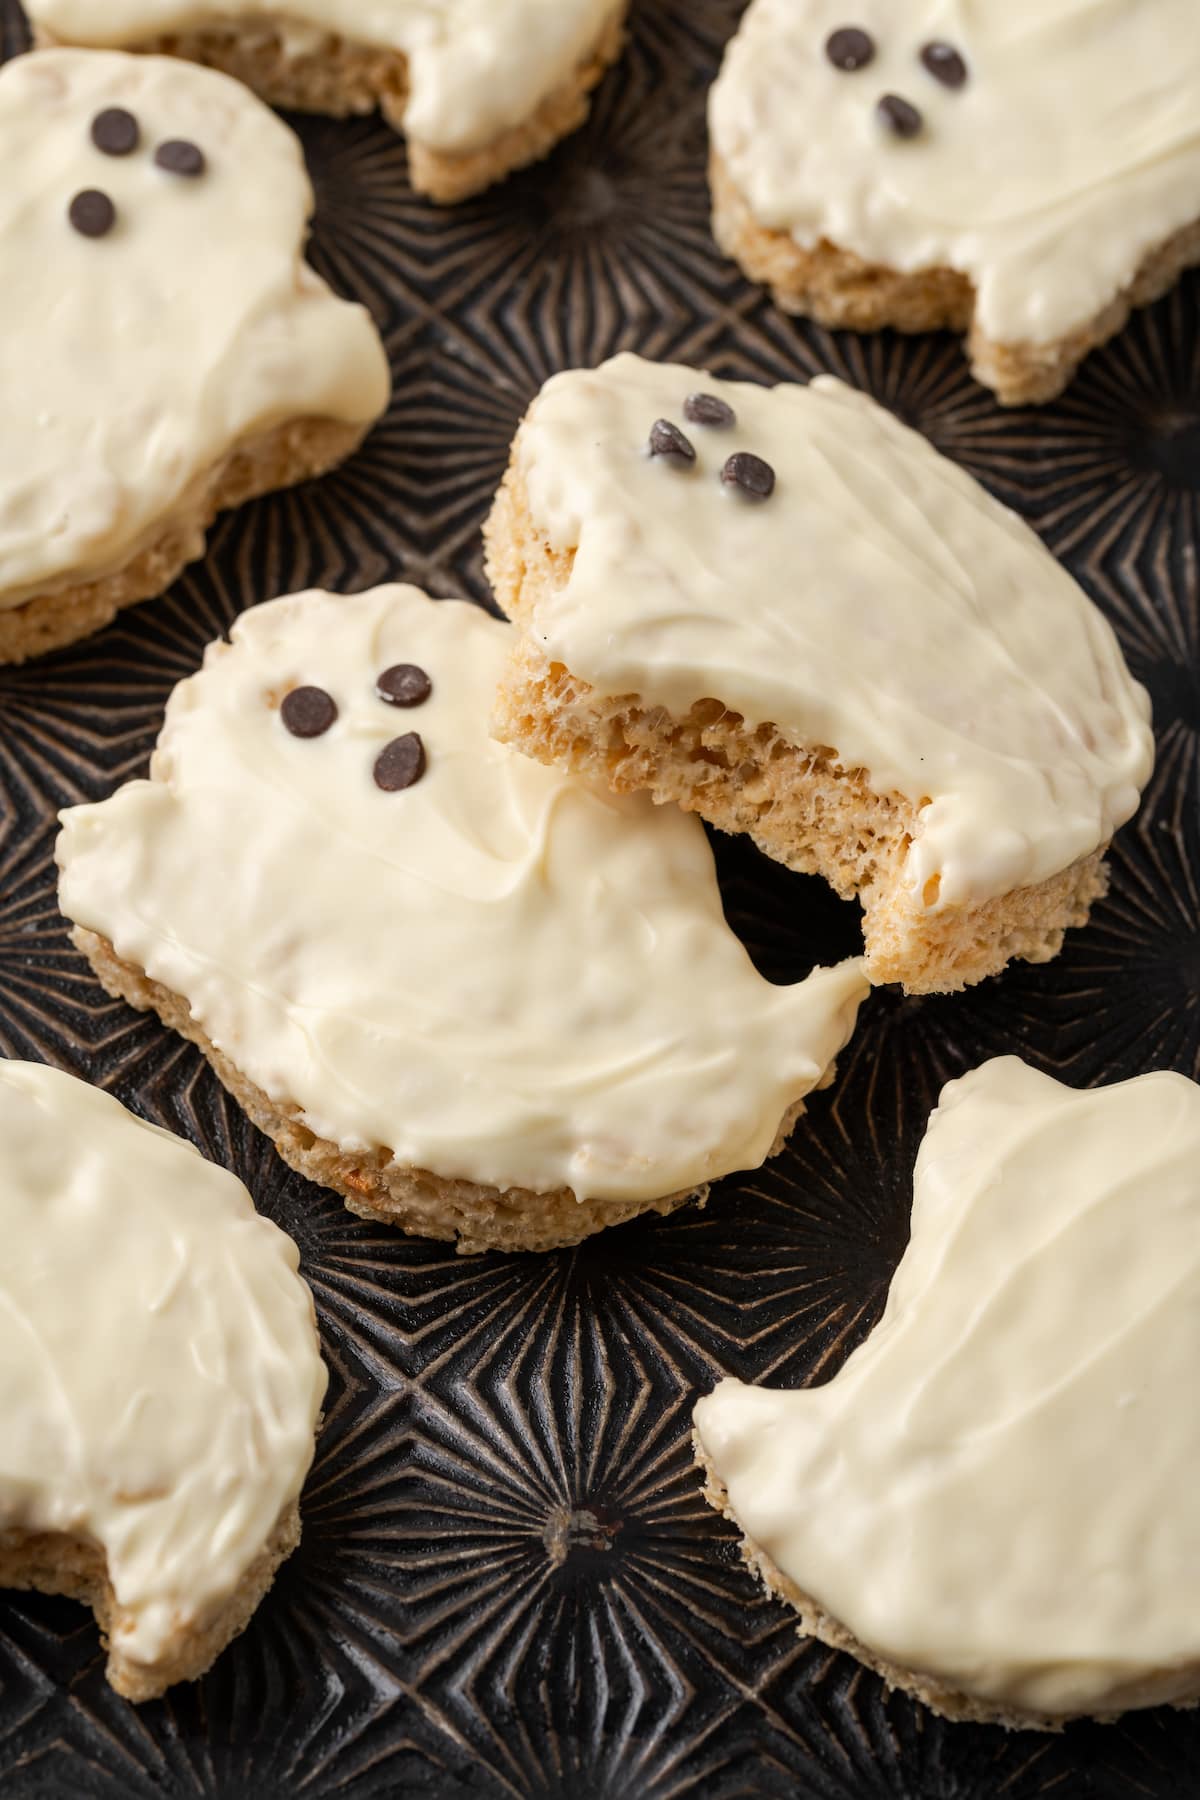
<point>510,1583</point>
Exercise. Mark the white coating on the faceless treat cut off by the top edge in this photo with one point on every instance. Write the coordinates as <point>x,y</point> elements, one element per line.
<point>476,67</point>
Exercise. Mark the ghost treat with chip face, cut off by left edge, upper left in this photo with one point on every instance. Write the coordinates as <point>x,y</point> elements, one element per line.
<point>166,348</point>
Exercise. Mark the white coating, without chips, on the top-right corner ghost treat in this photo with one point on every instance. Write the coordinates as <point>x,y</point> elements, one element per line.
<point>1066,159</point>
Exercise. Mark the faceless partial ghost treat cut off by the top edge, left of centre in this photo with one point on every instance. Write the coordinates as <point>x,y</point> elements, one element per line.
<point>479,87</point>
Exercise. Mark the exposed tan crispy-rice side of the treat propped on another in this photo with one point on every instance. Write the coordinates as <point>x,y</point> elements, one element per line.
<point>798,804</point>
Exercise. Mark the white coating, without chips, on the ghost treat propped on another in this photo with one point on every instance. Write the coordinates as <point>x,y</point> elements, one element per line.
<point>879,604</point>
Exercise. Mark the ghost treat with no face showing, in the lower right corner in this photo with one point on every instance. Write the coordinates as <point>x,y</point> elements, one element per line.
<point>994,1502</point>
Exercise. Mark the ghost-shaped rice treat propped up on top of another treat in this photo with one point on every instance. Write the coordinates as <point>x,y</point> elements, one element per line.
<point>791,615</point>
